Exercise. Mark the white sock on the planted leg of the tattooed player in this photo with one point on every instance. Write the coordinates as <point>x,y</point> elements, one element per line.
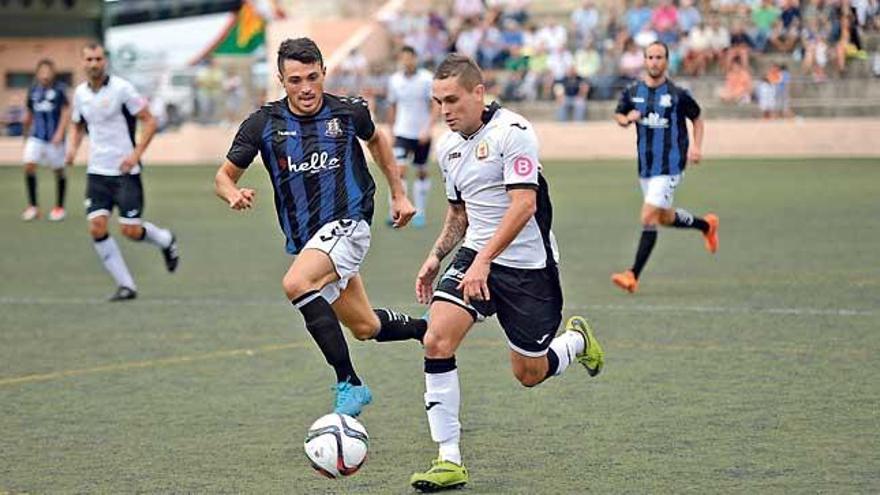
<point>442,401</point>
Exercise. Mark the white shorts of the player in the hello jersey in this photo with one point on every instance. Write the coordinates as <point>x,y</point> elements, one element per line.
<point>346,242</point>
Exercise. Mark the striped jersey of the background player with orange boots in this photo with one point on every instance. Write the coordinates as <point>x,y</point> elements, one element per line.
<point>662,130</point>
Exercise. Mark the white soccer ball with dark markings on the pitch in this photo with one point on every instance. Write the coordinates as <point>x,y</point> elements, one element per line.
<point>336,445</point>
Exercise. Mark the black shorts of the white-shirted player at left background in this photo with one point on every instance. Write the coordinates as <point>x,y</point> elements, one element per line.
<point>125,192</point>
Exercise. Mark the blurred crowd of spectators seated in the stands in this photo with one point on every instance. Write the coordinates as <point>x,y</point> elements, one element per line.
<point>596,50</point>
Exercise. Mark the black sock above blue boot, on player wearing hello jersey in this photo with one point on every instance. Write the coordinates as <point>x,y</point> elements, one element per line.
<point>322,324</point>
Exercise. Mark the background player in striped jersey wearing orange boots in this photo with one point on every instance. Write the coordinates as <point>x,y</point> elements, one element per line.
<point>659,109</point>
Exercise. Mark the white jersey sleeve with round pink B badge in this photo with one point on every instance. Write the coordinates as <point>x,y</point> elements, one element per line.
<point>519,156</point>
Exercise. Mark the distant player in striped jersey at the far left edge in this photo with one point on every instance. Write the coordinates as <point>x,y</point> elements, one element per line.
<point>45,124</point>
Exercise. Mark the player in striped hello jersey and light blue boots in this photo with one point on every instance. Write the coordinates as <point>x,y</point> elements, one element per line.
<point>323,194</point>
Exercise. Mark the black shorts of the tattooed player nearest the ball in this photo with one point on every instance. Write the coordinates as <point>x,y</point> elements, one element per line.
<point>528,302</point>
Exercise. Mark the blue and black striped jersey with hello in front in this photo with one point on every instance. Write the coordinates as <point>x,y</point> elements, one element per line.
<point>317,166</point>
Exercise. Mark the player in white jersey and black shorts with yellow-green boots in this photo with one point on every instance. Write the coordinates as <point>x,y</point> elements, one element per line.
<point>499,203</point>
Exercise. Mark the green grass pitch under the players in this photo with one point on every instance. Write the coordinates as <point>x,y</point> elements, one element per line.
<point>753,371</point>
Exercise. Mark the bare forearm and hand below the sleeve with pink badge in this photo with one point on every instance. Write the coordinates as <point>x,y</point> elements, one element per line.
<point>523,205</point>
